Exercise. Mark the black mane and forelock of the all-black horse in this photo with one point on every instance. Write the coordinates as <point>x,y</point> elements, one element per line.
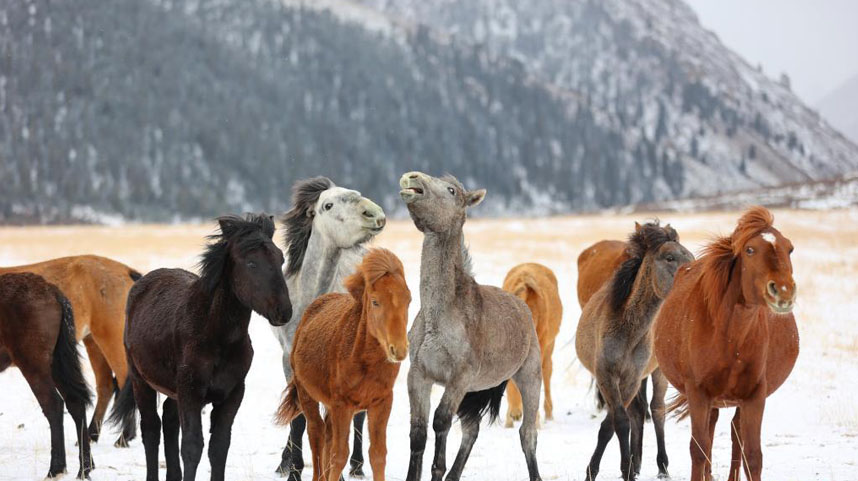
<point>246,233</point>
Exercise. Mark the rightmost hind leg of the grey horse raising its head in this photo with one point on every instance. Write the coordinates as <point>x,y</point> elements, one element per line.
<point>529,380</point>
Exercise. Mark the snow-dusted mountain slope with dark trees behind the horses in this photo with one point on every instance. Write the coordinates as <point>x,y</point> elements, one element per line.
<point>168,109</point>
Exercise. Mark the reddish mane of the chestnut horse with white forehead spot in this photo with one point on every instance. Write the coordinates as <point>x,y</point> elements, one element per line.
<point>718,257</point>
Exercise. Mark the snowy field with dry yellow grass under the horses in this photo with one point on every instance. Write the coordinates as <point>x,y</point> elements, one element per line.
<point>810,429</point>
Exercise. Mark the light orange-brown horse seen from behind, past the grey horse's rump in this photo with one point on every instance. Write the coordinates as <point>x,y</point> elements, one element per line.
<point>536,285</point>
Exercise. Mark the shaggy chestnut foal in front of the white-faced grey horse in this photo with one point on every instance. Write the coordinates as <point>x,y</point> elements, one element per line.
<point>346,356</point>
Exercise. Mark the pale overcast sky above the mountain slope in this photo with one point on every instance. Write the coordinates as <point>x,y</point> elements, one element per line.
<point>814,41</point>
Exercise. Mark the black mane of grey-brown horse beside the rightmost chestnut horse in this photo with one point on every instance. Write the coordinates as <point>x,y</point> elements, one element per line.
<point>649,238</point>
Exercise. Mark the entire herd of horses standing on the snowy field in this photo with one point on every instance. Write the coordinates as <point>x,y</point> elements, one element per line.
<point>718,328</point>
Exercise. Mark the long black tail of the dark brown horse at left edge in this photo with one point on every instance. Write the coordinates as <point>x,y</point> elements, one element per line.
<point>65,365</point>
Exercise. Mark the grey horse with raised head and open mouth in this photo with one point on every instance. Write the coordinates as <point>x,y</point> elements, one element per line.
<point>467,337</point>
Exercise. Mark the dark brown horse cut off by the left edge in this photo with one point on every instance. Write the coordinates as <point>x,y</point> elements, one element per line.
<point>37,335</point>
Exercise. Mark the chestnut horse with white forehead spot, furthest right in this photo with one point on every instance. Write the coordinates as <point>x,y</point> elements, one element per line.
<point>726,337</point>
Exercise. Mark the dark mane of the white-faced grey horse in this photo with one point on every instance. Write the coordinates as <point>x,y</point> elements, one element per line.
<point>298,222</point>
